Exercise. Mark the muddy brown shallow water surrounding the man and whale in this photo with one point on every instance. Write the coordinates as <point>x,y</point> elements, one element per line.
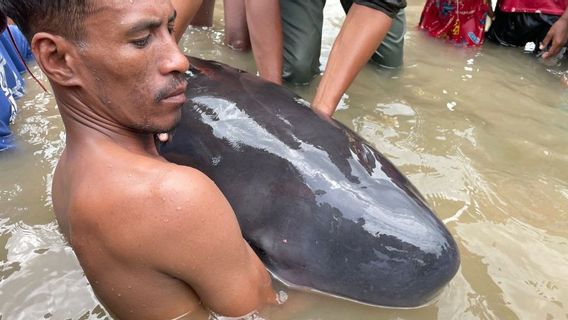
<point>482,133</point>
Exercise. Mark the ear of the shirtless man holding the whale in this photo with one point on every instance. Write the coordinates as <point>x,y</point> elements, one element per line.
<point>57,58</point>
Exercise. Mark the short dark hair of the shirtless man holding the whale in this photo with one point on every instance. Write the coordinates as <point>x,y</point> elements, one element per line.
<point>61,17</point>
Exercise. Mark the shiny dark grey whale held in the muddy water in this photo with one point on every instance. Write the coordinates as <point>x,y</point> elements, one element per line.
<point>321,207</point>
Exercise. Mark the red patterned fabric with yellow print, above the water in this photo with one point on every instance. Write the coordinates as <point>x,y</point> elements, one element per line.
<point>461,21</point>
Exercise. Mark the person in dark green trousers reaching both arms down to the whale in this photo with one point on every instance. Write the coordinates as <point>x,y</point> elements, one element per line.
<point>285,36</point>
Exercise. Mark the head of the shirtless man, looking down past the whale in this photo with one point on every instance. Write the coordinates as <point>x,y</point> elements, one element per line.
<point>112,62</point>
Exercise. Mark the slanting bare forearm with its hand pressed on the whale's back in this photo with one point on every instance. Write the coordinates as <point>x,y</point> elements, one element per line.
<point>362,32</point>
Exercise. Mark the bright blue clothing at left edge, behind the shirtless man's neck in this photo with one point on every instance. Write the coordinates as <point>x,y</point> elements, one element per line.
<point>11,81</point>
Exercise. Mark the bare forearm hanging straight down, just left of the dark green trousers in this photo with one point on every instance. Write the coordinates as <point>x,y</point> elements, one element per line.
<point>265,30</point>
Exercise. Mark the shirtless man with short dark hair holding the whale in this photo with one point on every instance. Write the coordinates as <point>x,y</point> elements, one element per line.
<point>156,240</point>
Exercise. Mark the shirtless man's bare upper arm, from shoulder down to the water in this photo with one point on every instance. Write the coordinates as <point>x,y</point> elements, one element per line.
<point>203,247</point>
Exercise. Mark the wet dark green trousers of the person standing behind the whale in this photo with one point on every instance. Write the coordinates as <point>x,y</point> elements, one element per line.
<point>302,22</point>
